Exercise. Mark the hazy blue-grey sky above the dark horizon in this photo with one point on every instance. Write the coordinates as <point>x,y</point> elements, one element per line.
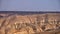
<point>29,5</point>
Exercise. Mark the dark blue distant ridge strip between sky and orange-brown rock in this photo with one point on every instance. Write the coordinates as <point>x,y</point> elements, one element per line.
<point>29,12</point>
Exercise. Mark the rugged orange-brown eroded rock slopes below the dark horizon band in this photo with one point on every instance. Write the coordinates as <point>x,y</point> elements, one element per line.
<point>29,24</point>
